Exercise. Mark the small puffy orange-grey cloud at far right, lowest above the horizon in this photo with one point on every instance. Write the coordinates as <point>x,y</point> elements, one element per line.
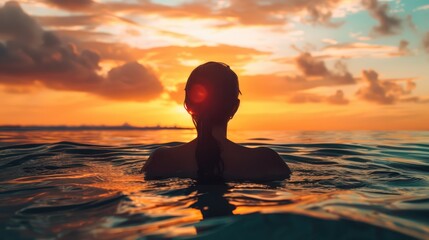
<point>384,91</point>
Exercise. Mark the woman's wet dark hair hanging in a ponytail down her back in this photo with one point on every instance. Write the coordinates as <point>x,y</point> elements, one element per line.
<point>211,98</point>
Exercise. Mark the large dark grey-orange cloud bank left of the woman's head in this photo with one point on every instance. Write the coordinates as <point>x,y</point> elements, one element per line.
<point>44,58</point>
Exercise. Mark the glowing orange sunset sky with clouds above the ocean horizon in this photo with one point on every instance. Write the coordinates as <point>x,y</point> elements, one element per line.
<point>302,64</point>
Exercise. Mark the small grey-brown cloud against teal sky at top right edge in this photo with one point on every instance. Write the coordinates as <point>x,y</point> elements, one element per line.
<point>387,25</point>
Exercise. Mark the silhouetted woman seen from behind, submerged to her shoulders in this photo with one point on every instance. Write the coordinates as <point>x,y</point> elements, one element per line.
<point>212,100</point>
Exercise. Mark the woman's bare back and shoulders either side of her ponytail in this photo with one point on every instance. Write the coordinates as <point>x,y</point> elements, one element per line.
<point>240,163</point>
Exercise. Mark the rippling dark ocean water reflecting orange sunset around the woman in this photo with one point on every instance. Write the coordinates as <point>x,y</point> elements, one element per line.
<point>87,185</point>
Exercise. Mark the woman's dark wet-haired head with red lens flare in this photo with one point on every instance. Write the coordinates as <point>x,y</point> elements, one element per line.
<point>212,93</point>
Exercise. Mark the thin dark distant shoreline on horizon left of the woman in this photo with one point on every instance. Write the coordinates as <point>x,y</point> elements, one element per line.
<point>127,127</point>
